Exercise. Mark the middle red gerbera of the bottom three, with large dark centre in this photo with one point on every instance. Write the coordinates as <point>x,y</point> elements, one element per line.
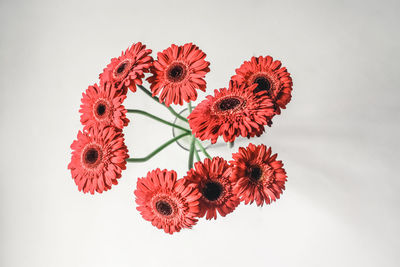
<point>213,179</point>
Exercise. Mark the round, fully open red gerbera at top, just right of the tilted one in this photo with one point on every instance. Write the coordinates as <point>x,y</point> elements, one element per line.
<point>177,73</point>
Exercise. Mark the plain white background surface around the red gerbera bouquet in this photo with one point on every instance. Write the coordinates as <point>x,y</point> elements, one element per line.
<point>338,138</point>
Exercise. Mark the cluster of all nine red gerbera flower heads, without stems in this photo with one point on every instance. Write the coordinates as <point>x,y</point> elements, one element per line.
<point>258,92</point>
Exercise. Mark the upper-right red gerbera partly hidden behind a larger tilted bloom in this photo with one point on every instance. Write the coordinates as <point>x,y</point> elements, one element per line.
<point>269,76</point>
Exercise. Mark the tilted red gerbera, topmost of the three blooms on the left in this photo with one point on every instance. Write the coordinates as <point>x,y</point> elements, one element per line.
<point>128,70</point>
